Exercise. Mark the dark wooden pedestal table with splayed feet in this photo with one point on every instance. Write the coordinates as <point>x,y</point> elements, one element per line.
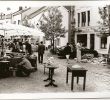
<point>50,76</point>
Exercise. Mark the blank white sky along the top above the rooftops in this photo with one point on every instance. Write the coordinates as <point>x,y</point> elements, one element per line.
<point>14,5</point>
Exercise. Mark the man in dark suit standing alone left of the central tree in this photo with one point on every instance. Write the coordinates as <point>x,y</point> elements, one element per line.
<point>41,49</point>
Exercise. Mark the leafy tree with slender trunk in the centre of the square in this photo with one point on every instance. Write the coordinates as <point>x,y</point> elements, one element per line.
<point>51,25</point>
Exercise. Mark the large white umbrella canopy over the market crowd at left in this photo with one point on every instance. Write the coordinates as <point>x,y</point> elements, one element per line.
<point>19,30</point>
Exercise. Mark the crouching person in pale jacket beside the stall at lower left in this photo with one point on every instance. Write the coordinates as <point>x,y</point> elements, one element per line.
<point>24,67</point>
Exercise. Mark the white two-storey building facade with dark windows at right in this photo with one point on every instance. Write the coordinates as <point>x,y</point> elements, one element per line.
<point>87,18</point>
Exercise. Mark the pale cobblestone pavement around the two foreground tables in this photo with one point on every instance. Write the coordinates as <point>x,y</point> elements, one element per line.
<point>98,79</point>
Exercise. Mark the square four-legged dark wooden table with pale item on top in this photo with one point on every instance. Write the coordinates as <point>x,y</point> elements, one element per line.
<point>76,72</point>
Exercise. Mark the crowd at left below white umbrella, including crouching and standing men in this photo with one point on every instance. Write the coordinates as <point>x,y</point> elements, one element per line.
<point>26,49</point>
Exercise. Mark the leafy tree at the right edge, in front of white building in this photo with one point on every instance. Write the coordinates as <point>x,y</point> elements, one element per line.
<point>104,23</point>
